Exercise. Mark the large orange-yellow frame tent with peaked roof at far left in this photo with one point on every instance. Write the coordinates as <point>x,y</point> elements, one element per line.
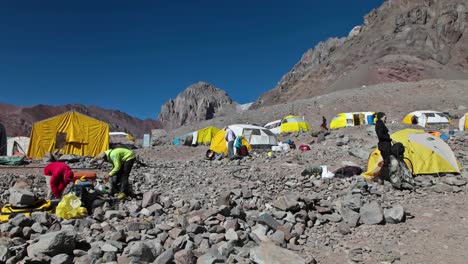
<point>71,133</point>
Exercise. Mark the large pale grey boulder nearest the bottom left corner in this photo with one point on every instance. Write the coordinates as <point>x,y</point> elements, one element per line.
<point>53,243</point>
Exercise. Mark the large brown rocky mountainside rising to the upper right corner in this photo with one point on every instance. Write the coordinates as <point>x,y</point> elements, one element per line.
<point>402,40</point>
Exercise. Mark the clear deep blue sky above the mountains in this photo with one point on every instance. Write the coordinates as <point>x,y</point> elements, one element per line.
<point>135,55</point>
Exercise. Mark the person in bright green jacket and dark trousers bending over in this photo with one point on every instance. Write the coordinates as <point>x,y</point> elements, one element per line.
<point>122,160</point>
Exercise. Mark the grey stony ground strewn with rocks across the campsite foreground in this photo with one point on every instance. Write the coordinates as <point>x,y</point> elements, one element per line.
<point>256,210</point>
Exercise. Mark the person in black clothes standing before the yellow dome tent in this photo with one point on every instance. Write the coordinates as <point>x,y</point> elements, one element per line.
<point>385,145</point>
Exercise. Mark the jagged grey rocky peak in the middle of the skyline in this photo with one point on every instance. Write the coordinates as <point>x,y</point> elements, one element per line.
<point>200,101</point>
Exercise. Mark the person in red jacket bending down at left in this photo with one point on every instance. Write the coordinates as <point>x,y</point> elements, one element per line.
<point>60,176</point>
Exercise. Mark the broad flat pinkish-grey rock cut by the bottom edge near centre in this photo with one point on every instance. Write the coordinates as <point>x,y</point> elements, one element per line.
<point>268,253</point>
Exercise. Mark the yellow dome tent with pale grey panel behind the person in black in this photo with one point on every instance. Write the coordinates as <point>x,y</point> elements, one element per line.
<point>424,154</point>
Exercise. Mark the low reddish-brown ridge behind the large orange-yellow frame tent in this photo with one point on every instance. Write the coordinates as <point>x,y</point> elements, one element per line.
<point>19,120</point>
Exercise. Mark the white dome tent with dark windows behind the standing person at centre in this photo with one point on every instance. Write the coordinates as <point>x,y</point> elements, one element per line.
<point>258,137</point>
